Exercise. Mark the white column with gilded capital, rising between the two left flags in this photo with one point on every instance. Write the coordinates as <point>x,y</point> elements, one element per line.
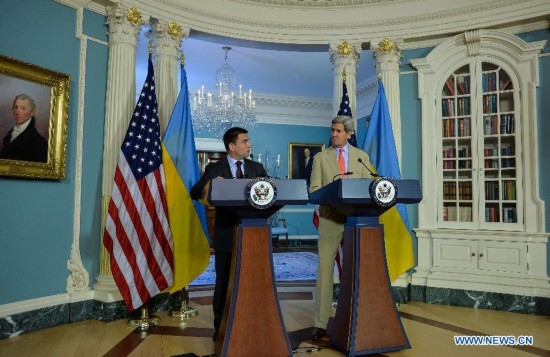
<point>167,39</point>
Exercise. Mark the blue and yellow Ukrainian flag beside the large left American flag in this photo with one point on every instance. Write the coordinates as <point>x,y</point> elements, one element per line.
<point>187,217</point>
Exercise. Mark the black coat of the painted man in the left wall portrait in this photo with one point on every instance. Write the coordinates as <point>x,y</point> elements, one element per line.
<point>27,146</point>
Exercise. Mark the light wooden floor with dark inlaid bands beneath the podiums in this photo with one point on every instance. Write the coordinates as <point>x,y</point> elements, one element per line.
<point>430,329</point>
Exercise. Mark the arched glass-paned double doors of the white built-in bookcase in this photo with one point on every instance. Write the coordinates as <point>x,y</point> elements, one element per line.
<point>478,159</point>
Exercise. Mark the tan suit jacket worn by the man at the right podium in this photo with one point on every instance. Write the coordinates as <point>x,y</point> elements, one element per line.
<point>324,171</point>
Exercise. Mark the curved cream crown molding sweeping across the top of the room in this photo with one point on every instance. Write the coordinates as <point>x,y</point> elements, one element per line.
<point>363,23</point>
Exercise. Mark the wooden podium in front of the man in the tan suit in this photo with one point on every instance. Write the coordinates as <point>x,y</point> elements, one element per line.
<point>366,320</point>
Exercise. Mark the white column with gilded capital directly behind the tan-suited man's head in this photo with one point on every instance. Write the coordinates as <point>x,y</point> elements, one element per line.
<point>345,55</point>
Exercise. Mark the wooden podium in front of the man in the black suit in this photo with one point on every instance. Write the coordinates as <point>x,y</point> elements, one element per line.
<point>252,324</point>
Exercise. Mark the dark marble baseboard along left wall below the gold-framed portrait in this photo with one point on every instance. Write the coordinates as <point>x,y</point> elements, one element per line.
<point>25,322</point>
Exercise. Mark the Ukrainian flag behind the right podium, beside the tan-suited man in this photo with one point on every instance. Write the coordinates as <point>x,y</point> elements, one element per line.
<point>380,145</point>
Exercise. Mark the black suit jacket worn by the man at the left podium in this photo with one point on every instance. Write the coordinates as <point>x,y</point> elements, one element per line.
<point>225,217</point>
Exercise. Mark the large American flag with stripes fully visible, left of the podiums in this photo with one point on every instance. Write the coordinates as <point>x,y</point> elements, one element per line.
<point>137,234</point>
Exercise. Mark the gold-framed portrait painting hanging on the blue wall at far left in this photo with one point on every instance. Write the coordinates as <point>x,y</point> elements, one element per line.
<point>49,91</point>
